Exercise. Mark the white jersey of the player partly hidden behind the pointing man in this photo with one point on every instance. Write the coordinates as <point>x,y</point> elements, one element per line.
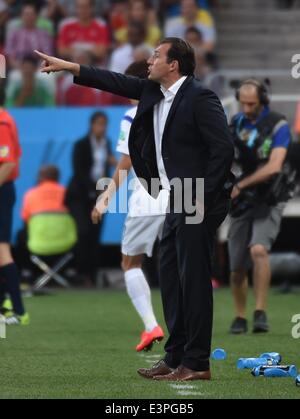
<point>141,204</point>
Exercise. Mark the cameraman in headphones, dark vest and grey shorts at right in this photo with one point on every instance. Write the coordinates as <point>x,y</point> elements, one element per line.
<point>264,185</point>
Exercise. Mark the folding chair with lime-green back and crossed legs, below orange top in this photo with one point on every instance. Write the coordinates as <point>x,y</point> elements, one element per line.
<point>51,234</point>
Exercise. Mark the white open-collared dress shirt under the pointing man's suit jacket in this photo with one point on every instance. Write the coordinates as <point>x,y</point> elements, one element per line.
<point>161,112</point>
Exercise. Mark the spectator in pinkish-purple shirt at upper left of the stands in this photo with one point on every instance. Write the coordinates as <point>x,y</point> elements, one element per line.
<point>22,41</point>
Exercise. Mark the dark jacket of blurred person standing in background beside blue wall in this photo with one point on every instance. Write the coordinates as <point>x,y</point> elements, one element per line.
<point>81,186</point>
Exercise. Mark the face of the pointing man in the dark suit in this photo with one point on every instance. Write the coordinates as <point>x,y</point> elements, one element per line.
<point>159,68</point>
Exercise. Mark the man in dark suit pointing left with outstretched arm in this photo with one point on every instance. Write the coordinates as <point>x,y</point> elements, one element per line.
<point>180,131</point>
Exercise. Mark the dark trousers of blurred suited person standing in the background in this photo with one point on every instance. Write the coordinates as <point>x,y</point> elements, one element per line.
<point>87,248</point>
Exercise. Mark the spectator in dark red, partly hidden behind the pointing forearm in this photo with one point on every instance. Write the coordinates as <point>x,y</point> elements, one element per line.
<point>70,94</point>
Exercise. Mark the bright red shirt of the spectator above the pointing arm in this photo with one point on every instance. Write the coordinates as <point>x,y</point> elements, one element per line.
<point>72,33</point>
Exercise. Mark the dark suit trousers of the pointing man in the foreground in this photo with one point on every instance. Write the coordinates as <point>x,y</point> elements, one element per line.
<point>186,253</point>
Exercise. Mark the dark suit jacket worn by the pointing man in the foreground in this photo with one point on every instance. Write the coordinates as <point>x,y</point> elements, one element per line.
<point>196,143</point>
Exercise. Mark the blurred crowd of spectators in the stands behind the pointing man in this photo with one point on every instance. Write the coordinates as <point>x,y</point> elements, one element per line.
<point>106,33</point>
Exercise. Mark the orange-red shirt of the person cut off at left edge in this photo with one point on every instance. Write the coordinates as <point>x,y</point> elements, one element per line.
<point>10,150</point>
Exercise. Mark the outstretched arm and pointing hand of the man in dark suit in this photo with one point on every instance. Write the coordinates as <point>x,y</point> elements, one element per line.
<point>130,87</point>
